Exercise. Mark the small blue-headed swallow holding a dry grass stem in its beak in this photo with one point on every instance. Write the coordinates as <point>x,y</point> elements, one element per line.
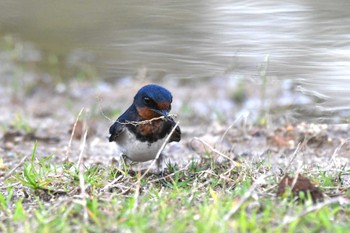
<point>143,128</point>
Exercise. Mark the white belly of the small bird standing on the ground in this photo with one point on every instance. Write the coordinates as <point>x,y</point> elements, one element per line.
<point>138,151</point>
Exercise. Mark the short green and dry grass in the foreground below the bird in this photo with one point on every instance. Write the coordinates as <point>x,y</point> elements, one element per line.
<point>206,197</point>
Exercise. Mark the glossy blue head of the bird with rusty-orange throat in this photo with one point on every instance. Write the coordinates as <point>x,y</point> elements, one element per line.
<point>153,101</point>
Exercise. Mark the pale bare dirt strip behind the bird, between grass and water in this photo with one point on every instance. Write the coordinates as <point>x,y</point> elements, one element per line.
<point>206,112</point>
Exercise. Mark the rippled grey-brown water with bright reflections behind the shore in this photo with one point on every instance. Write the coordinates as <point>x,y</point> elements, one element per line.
<point>306,41</point>
